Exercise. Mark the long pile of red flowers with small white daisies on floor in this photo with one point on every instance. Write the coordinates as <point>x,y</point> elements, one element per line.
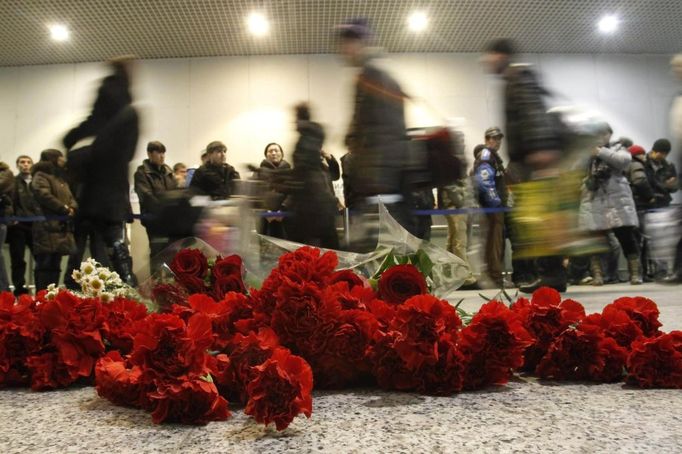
<point>214,342</point>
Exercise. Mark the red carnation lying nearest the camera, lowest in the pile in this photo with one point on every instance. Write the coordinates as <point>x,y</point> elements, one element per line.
<point>280,390</point>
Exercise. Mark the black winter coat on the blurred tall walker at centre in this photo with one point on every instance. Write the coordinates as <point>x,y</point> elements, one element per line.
<point>377,138</point>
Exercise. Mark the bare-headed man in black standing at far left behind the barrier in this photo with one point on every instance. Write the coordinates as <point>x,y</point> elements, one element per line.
<point>19,234</point>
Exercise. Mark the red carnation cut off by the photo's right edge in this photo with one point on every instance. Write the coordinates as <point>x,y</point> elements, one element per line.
<point>656,362</point>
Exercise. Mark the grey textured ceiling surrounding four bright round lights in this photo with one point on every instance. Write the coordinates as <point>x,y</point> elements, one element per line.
<point>195,28</point>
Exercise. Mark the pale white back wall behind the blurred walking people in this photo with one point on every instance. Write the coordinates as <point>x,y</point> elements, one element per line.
<point>246,101</point>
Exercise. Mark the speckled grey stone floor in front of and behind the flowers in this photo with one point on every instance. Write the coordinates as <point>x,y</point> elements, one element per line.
<point>524,416</point>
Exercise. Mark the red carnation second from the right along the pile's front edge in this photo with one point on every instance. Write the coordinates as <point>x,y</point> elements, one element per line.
<point>585,353</point>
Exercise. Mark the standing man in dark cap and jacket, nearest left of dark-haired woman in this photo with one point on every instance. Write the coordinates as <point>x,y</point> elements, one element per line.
<point>215,178</point>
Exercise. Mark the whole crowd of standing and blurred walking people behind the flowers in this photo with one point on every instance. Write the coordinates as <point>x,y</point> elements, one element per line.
<point>83,193</point>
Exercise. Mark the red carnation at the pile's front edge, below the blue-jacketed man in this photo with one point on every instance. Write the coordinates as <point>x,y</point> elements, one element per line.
<point>493,344</point>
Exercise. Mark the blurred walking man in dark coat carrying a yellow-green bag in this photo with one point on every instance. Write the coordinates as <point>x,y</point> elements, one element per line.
<point>533,141</point>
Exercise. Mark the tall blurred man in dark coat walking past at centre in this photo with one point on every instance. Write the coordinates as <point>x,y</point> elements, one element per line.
<point>377,138</point>
